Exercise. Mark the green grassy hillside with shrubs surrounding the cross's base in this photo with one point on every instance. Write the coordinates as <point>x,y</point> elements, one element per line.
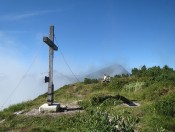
<point>143,101</point>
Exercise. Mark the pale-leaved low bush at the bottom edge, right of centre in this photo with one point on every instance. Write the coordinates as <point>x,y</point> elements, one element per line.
<point>100,121</point>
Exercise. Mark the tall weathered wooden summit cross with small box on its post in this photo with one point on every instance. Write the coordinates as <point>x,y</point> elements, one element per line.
<point>50,42</point>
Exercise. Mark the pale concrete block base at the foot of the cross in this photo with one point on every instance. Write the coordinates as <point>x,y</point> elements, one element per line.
<point>49,108</point>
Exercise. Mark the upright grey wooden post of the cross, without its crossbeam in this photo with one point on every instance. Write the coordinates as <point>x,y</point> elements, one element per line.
<point>50,84</point>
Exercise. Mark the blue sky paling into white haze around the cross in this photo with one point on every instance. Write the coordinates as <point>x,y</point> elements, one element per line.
<point>91,34</point>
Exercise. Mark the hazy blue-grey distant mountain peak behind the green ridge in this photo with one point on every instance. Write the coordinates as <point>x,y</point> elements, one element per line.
<point>110,70</point>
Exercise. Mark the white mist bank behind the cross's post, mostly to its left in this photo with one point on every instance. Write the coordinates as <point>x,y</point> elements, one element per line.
<point>20,80</point>
